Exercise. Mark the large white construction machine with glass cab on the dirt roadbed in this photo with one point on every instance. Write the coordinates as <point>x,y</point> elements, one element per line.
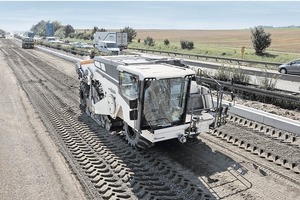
<point>149,99</point>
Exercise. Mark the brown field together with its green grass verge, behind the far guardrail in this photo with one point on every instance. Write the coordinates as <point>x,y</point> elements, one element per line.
<point>285,42</point>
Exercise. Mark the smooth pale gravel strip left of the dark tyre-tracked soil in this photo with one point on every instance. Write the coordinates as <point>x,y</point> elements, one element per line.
<point>31,166</point>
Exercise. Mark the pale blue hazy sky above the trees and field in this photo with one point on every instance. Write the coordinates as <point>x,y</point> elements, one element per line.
<point>192,15</point>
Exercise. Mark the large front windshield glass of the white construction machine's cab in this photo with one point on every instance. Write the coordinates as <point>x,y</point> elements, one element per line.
<point>164,101</point>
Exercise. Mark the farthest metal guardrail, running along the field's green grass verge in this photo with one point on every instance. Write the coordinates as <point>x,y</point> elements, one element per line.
<point>197,56</point>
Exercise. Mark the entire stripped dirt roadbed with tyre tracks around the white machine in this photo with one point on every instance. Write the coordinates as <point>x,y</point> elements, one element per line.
<point>49,149</point>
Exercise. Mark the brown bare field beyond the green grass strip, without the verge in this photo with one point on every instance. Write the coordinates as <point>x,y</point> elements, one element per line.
<point>283,39</point>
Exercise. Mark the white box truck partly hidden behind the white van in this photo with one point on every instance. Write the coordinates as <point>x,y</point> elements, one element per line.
<point>121,39</point>
